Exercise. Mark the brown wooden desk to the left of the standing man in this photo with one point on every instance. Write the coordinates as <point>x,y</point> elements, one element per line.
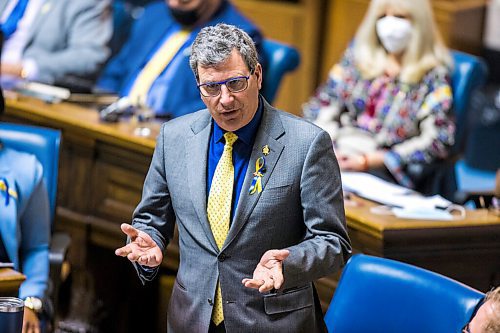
<point>101,173</point>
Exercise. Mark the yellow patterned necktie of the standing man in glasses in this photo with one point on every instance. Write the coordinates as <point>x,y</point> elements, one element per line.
<point>219,208</point>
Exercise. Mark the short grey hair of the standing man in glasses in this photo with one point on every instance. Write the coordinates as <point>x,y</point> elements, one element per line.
<point>214,45</point>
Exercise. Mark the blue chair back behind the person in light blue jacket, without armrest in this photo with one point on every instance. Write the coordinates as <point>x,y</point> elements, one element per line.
<point>44,144</point>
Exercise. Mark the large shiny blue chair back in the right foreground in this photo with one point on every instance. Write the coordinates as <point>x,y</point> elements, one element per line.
<point>379,295</point>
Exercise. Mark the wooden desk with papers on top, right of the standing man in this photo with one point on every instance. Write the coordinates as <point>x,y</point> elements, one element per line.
<point>467,250</point>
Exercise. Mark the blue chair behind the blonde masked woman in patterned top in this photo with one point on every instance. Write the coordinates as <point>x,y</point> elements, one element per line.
<point>470,73</point>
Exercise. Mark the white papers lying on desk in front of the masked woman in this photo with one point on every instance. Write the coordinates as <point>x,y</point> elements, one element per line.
<point>376,189</point>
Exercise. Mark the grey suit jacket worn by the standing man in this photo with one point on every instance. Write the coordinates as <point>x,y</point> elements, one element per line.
<point>300,209</point>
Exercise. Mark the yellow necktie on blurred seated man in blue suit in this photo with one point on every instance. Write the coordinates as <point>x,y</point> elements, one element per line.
<point>155,67</point>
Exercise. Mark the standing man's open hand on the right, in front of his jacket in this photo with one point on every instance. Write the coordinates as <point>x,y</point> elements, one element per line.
<point>269,271</point>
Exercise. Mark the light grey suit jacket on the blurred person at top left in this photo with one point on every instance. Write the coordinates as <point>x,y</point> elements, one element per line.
<point>68,38</point>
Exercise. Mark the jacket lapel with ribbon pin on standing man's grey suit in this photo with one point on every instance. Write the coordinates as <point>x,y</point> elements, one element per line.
<point>269,131</point>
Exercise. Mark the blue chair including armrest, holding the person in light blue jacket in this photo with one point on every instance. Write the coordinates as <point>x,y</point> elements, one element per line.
<point>44,144</point>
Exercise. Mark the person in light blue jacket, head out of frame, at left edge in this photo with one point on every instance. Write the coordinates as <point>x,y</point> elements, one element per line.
<point>25,228</point>
